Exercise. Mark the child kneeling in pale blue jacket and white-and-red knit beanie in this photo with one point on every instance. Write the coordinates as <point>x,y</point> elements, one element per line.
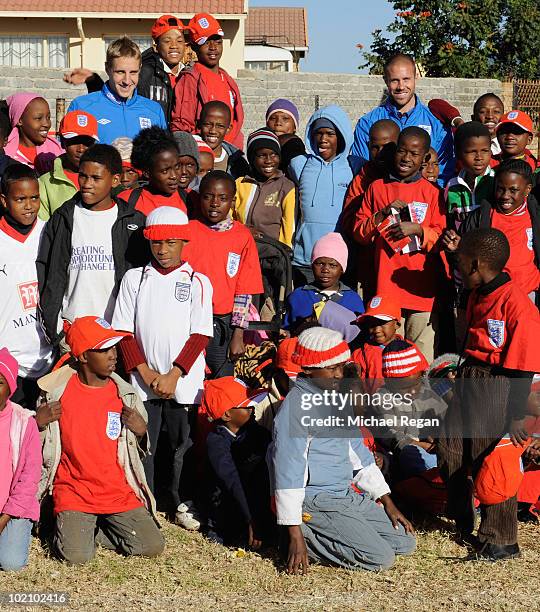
<point>326,519</point>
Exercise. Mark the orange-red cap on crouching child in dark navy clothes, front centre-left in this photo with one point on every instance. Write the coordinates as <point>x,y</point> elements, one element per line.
<point>222,394</point>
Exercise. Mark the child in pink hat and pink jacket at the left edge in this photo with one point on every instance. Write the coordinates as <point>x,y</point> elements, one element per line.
<point>20,457</point>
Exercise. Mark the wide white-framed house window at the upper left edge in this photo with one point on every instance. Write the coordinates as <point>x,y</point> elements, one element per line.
<point>34,51</point>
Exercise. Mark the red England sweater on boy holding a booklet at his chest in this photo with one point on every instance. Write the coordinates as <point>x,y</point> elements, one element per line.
<point>414,279</point>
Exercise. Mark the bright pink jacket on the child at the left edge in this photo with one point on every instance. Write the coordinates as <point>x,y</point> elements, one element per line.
<point>26,451</point>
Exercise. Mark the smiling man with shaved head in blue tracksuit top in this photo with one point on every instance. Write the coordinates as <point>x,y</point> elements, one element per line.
<point>404,107</point>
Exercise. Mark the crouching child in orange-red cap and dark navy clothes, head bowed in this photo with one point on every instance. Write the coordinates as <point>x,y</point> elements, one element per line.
<point>238,485</point>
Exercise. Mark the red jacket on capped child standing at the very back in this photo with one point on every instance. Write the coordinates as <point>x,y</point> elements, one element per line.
<point>194,90</point>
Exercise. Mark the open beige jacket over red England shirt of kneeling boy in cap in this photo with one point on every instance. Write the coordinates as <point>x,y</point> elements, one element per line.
<point>130,449</point>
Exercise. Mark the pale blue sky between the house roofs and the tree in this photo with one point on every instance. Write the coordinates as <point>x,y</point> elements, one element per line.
<point>335,27</point>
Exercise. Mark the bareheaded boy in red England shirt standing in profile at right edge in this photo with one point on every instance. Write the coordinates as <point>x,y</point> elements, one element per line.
<point>492,388</point>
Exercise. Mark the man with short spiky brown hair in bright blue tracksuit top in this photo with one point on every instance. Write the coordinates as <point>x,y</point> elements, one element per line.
<point>119,110</point>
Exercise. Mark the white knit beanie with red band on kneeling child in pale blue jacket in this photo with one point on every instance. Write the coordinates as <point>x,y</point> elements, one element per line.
<point>319,347</point>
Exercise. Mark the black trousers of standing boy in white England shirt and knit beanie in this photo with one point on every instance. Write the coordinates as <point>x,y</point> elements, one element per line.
<point>175,421</point>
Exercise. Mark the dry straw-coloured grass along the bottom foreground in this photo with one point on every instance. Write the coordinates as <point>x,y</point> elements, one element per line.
<point>194,574</point>
